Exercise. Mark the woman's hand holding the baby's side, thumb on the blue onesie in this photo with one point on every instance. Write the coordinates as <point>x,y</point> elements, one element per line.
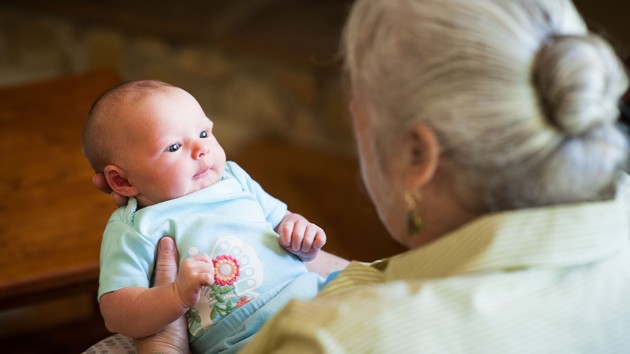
<point>173,339</point>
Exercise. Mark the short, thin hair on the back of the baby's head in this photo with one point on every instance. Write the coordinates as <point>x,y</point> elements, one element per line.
<point>104,113</point>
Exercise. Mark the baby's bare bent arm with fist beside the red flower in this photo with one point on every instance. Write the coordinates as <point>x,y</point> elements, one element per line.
<point>139,312</point>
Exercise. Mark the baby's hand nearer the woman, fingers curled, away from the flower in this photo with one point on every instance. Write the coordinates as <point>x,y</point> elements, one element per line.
<point>301,237</point>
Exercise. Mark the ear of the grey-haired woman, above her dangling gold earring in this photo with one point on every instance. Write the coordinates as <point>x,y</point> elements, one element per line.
<point>425,156</point>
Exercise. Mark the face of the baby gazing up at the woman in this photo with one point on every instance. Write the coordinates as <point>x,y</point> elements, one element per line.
<point>170,150</point>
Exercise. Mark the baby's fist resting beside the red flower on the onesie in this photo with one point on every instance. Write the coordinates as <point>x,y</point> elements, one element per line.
<point>194,273</point>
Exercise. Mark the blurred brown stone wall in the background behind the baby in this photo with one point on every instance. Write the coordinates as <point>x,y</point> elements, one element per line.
<point>249,95</point>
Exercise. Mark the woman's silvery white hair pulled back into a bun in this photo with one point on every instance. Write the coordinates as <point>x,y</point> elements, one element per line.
<point>524,100</point>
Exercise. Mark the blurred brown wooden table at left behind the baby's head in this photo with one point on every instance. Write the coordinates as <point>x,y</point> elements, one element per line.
<point>51,216</point>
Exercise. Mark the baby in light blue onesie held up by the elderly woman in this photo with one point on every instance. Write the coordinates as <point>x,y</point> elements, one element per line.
<point>154,145</point>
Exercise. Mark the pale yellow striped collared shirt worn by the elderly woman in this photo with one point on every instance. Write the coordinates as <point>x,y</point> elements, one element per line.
<point>545,280</point>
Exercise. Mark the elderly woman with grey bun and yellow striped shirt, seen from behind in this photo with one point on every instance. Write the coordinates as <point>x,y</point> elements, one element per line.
<point>489,144</point>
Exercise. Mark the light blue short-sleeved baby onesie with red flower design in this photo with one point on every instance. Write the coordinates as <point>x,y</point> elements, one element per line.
<point>233,222</point>
